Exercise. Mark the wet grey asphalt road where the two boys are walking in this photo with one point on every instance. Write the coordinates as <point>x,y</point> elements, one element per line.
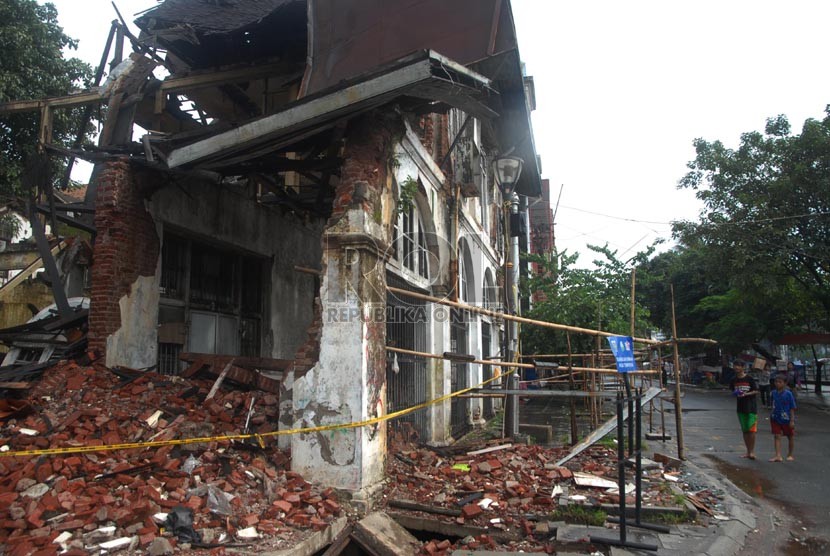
<point>798,489</point>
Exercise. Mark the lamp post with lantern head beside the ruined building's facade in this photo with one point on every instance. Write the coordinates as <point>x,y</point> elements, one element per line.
<point>507,171</point>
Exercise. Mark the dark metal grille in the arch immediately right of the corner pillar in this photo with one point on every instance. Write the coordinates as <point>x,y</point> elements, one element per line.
<point>406,375</point>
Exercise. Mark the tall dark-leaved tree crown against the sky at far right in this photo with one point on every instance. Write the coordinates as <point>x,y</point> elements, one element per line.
<point>766,220</point>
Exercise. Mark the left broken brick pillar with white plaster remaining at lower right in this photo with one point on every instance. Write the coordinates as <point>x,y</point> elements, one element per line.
<point>124,303</point>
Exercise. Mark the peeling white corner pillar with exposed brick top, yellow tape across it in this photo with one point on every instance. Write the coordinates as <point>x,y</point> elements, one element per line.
<point>348,382</point>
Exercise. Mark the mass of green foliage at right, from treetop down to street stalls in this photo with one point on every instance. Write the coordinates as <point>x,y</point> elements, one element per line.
<point>756,265</point>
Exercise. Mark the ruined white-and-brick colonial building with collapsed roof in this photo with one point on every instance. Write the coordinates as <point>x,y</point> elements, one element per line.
<point>267,168</point>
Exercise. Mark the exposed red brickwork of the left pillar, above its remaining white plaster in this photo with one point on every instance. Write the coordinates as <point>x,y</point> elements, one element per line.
<point>126,247</point>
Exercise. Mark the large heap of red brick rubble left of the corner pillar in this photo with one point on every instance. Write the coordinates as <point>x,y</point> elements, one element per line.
<point>92,498</point>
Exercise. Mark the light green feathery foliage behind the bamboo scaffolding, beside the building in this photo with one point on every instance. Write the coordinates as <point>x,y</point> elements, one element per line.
<point>596,298</point>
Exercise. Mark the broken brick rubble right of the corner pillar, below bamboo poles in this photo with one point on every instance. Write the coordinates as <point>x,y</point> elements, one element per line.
<point>504,495</point>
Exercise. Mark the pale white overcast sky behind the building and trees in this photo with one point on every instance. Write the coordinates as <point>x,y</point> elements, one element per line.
<point>622,90</point>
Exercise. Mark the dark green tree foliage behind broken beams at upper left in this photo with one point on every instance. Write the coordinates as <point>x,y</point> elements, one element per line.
<point>32,66</point>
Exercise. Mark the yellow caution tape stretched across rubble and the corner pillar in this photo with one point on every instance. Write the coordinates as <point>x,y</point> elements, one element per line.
<point>228,437</point>
